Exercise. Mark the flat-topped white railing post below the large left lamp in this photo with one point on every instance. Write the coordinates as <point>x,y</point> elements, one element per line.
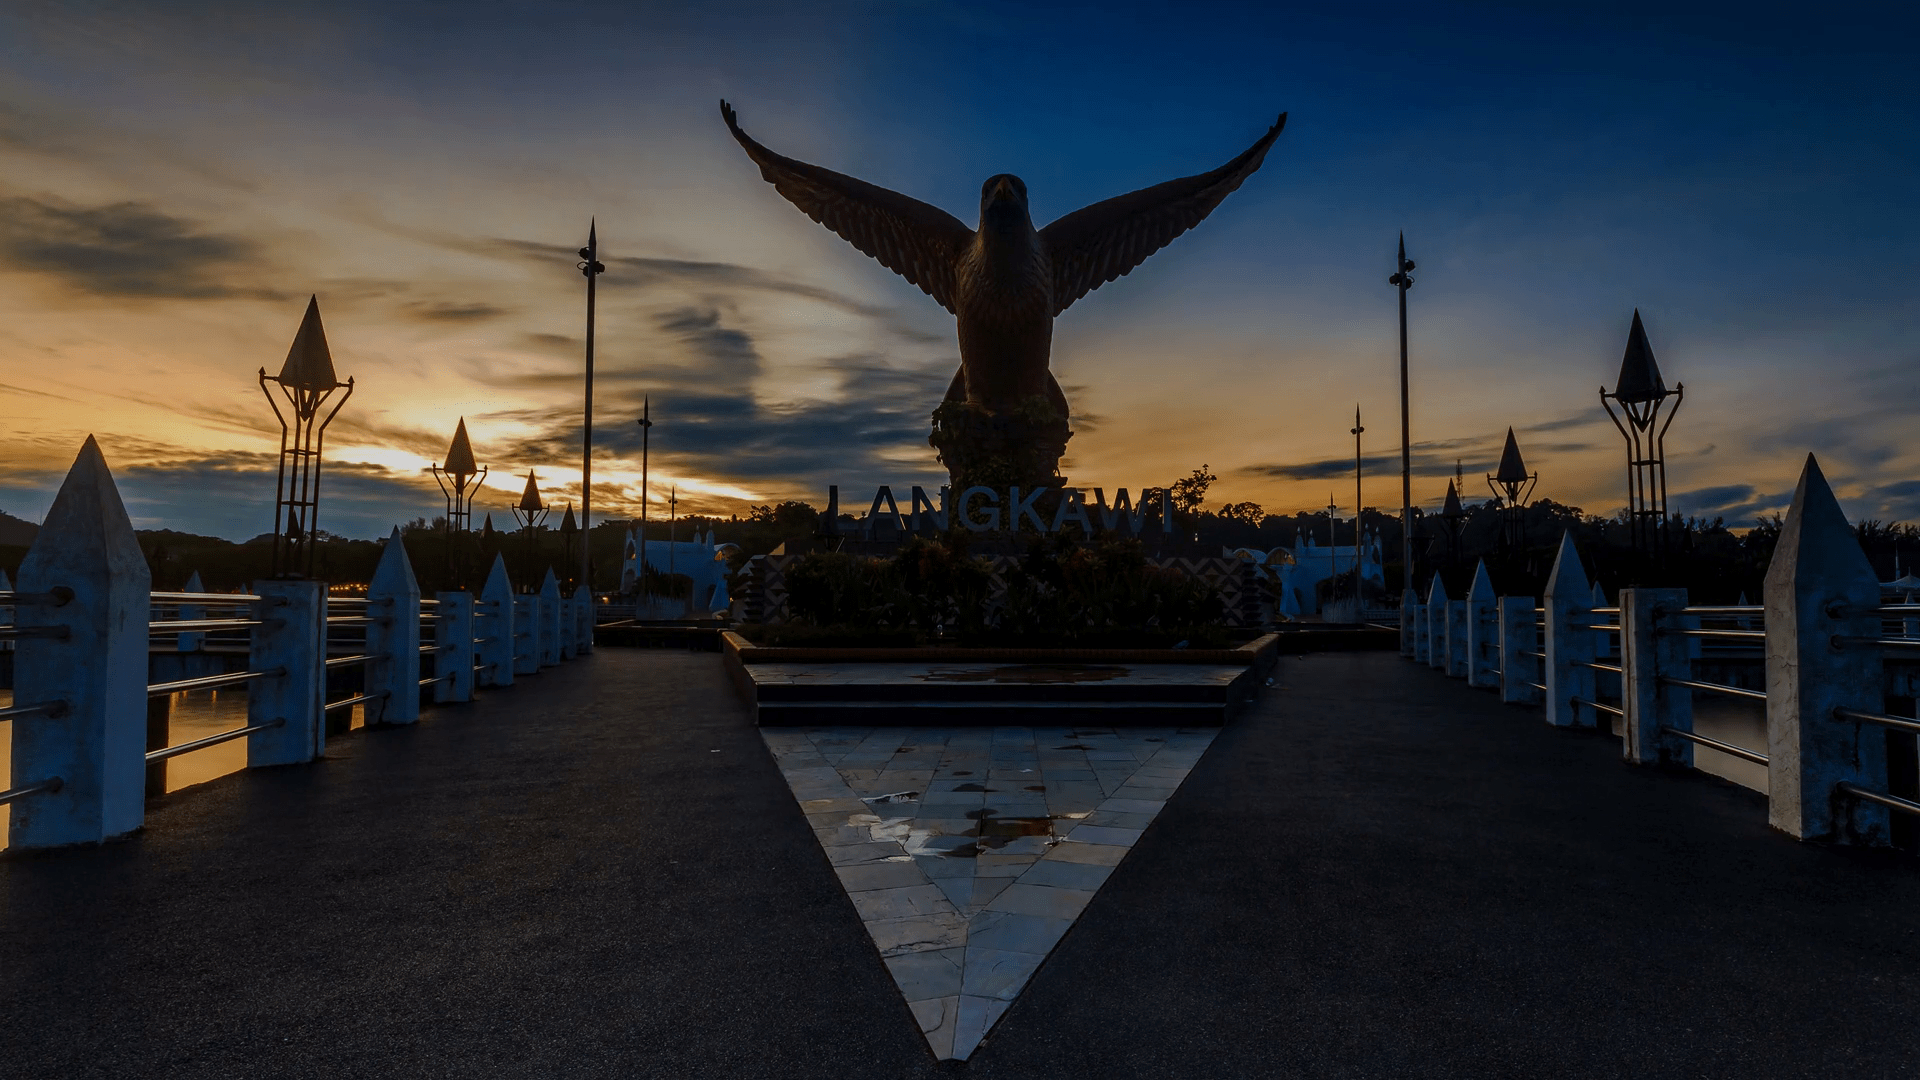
<point>293,637</point>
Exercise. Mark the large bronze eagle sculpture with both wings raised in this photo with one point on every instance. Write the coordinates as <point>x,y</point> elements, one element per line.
<point>1005,282</point>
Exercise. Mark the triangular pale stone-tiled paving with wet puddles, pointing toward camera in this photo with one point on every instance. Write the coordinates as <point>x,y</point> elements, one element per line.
<point>971,852</point>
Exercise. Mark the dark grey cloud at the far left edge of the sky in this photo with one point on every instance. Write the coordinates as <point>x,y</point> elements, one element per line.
<point>128,249</point>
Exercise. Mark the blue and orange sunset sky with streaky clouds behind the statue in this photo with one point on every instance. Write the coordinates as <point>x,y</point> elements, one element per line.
<point>176,180</point>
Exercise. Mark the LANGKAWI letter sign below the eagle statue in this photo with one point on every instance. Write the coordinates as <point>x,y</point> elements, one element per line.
<point>994,510</point>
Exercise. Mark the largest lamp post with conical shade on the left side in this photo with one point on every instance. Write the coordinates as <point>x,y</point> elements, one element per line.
<point>306,383</point>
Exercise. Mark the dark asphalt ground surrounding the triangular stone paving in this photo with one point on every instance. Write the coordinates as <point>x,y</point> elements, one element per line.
<point>600,873</point>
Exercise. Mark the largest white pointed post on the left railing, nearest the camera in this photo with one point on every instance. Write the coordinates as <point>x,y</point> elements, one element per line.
<point>84,606</point>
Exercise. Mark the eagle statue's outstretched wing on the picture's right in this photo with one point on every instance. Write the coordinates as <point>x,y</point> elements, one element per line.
<point>1095,245</point>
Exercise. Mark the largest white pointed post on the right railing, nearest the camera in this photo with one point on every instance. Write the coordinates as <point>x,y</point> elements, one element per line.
<point>1821,591</point>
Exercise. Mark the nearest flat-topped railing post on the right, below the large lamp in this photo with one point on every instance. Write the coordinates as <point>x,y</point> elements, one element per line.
<point>1650,650</point>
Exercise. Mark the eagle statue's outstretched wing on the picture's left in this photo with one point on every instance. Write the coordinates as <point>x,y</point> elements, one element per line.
<point>917,241</point>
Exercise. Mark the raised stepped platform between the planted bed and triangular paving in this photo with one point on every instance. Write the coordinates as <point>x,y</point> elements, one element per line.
<point>997,687</point>
